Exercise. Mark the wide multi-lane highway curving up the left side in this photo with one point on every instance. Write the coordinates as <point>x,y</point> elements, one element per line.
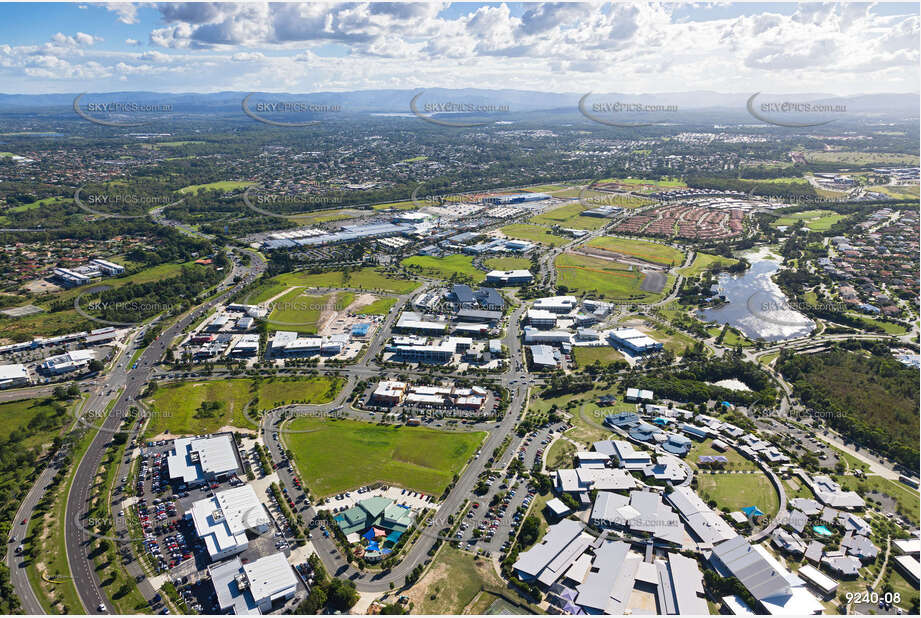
<point>128,383</point>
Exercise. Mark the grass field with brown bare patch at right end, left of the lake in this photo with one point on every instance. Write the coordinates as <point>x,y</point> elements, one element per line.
<point>603,278</point>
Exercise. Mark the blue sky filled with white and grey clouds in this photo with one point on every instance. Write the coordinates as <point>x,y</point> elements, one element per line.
<point>833,48</point>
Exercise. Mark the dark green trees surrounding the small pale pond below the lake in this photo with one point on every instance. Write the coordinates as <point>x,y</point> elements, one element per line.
<point>691,384</point>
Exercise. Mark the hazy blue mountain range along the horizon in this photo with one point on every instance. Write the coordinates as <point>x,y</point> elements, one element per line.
<point>398,101</point>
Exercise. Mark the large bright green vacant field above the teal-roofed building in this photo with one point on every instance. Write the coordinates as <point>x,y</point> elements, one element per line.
<point>337,455</point>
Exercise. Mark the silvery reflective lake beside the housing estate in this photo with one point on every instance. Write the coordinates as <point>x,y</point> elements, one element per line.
<point>757,306</point>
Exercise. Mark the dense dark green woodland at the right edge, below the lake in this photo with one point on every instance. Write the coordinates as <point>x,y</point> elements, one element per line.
<point>872,400</point>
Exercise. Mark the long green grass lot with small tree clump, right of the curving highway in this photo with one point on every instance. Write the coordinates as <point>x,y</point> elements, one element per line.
<point>176,405</point>
